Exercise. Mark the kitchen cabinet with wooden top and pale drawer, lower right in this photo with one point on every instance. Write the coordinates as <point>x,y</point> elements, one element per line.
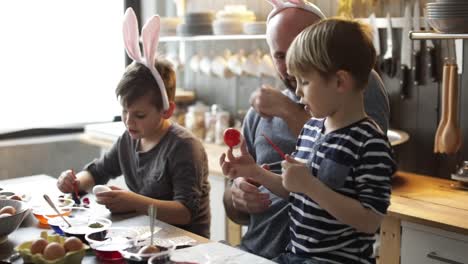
<point>426,222</point>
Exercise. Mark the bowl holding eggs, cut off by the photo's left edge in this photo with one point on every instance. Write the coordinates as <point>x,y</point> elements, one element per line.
<point>12,214</point>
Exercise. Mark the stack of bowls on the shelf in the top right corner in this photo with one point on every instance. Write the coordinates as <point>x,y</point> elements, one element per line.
<point>448,16</point>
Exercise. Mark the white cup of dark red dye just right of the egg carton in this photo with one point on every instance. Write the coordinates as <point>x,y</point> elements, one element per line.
<point>108,243</point>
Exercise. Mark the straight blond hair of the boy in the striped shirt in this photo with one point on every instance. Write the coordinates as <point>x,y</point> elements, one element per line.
<point>331,45</point>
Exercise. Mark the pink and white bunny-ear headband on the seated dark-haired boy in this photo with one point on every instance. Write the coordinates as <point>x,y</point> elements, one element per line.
<point>150,37</point>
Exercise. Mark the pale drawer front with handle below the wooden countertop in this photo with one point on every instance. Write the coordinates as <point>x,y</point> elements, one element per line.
<point>425,245</point>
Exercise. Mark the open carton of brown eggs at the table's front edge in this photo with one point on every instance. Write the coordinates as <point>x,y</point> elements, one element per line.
<point>54,249</point>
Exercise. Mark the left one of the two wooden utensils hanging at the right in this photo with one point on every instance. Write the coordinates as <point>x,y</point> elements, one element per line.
<point>439,146</point>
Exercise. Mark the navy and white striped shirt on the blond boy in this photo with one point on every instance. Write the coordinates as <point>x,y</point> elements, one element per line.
<point>356,161</point>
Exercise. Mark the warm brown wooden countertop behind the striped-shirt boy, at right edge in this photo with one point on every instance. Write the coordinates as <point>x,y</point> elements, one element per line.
<point>429,201</point>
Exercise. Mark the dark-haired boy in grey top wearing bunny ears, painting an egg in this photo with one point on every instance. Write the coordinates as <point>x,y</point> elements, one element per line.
<point>163,164</point>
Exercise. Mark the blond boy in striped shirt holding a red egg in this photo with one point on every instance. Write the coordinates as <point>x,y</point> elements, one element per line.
<point>338,180</point>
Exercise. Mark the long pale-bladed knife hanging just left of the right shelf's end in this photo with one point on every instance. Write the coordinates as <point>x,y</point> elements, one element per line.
<point>405,59</point>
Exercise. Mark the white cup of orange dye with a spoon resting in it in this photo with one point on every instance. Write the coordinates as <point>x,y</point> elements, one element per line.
<point>43,211</point>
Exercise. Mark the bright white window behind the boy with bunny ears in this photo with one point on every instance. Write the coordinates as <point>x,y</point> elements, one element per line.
<point>60,62</point>
